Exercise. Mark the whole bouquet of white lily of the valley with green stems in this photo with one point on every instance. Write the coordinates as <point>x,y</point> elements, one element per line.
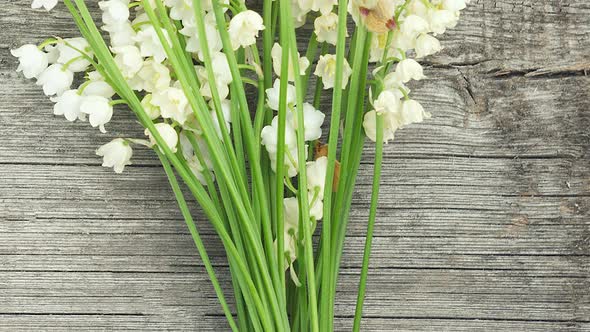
<point>261,168</point>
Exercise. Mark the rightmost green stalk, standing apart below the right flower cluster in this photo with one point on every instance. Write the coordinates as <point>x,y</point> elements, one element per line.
<point>370,226</point>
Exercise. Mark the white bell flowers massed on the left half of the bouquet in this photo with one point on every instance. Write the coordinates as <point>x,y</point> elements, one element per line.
<point>138,52</point>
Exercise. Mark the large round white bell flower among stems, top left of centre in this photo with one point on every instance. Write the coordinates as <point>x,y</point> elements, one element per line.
<point>244,27</point>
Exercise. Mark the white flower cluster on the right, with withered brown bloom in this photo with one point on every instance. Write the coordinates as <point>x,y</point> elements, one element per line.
<point>410,31</point>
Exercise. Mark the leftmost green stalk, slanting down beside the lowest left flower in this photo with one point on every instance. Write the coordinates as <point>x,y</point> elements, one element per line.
<point>196,237</point>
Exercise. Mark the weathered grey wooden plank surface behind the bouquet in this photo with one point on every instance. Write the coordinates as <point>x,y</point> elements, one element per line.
<point>484,222</point>
